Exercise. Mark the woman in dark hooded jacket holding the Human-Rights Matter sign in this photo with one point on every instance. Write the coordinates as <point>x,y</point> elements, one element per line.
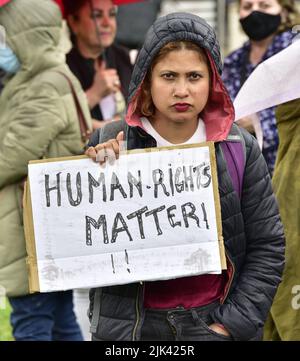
<point>177,97</point>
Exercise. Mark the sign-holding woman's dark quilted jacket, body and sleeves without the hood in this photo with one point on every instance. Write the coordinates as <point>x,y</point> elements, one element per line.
<point>254,244</point>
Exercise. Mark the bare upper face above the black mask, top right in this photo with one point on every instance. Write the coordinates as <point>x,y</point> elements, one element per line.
<point>271,7</point>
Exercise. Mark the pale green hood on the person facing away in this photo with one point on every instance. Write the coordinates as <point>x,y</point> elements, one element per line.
<point>33,30</point>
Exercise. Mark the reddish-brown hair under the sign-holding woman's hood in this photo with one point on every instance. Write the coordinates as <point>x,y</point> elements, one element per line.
<point>146,105</point>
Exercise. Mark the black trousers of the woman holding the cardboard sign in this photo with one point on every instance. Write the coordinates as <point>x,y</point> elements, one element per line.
<point>180,324</point>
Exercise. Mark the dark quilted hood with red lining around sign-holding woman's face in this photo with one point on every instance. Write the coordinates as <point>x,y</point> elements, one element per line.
<point>218,114</point>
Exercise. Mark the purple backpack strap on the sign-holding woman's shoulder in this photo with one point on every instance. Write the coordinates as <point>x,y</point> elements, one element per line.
<point>234,152</point>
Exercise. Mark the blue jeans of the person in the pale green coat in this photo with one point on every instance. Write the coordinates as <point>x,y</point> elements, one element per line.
<point>44,317</point>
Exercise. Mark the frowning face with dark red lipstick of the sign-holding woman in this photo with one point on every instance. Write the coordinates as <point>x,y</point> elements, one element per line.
<point>180,86</point>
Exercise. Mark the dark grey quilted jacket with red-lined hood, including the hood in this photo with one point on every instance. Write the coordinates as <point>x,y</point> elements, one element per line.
<point>252,231</point>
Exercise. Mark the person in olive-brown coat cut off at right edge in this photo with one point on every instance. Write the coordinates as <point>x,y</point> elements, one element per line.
<point>283,323</point>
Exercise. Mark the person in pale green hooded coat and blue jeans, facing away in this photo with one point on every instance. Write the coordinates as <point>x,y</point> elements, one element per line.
<point>38,119</point>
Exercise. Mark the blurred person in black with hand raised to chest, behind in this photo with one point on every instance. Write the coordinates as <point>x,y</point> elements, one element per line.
<point>102,67</point>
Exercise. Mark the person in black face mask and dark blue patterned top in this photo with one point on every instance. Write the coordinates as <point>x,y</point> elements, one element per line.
<point>267,23</point>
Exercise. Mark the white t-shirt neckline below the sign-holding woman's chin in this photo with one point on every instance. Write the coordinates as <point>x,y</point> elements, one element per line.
<point>198,137</point>
